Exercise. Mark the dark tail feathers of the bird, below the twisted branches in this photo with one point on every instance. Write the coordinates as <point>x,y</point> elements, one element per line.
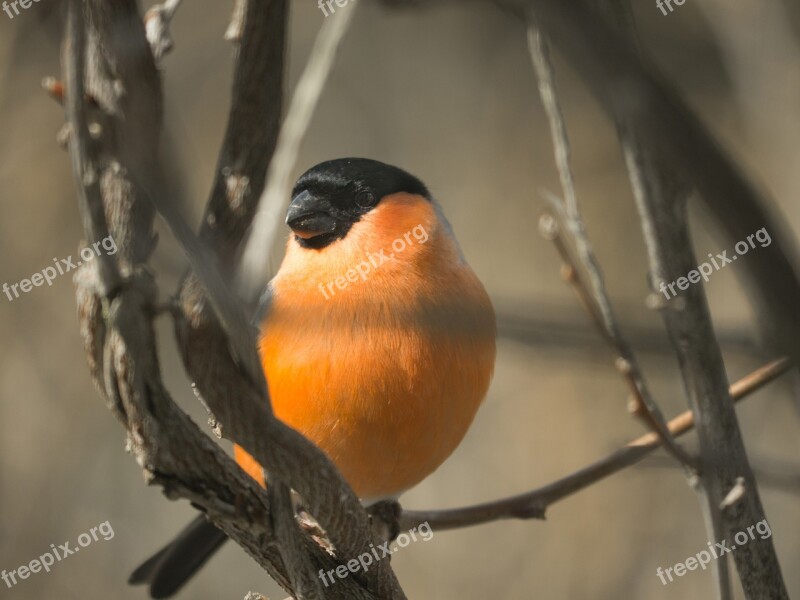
<point>172,566</point>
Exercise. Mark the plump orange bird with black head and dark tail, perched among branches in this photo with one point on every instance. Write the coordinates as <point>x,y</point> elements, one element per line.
<point>377,340</point>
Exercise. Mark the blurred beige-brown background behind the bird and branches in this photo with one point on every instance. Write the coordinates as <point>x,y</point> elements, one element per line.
<point>449,94</point>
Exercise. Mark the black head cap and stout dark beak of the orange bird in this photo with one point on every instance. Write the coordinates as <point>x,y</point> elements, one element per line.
<point>329,198</point>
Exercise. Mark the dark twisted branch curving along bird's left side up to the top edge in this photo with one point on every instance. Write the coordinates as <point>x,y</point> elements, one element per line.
<point>240,404</point>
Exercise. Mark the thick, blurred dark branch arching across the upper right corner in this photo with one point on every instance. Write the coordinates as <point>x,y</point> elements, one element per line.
<point>633,89</point>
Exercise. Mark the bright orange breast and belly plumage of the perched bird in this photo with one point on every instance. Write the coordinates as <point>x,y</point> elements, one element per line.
<point>385,373</point>
